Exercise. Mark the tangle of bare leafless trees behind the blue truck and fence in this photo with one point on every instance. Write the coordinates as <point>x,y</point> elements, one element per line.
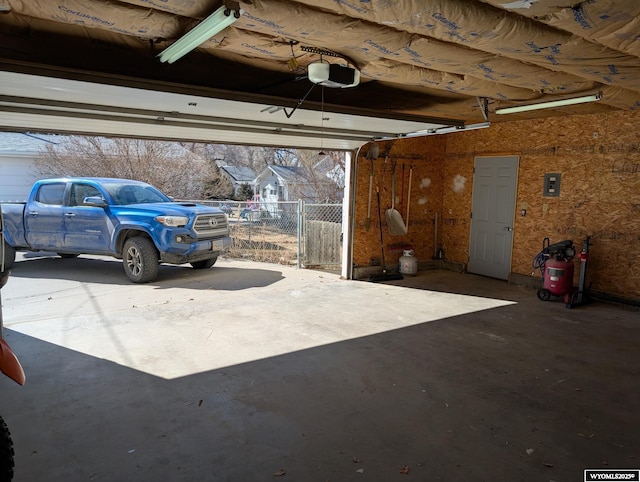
<point>188,170</point>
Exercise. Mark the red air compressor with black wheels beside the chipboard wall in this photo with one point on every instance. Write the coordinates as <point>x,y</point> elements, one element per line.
<point>555,262</point>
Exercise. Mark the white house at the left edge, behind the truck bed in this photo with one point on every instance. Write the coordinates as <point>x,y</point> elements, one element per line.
<point>18,153</point>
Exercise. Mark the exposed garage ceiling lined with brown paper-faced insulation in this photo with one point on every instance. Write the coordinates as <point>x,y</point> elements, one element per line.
<point>432,58</point>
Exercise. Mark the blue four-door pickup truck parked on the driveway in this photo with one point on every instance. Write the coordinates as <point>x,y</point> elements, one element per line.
<point>129,220</point>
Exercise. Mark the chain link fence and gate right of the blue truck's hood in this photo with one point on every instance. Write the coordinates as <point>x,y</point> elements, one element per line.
<point>284,232</point>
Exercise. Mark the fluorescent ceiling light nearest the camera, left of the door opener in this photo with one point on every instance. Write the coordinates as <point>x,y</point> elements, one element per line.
<point>210,26</point>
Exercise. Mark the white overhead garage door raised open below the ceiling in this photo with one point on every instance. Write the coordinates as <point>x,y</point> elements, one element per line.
<point>44,104</point>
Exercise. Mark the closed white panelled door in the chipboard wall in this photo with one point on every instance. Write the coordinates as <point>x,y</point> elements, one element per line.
<point>492,215</point>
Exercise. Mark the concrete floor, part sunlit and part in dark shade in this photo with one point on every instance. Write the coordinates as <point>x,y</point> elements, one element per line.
<point>249,370</point>
